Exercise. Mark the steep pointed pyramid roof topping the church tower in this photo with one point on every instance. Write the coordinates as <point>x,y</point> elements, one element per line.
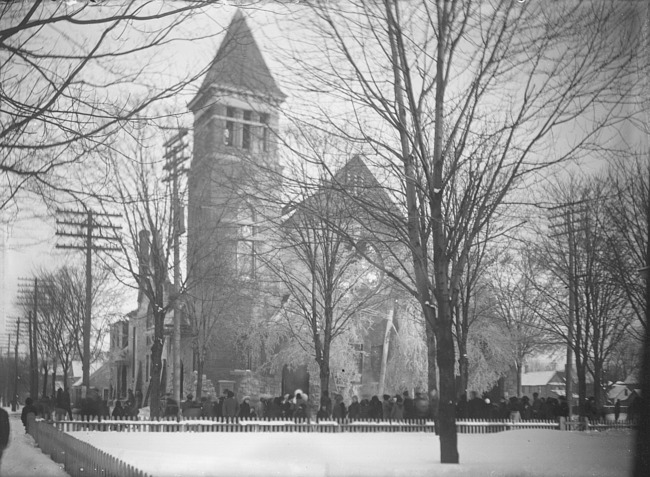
<point>239,65</point>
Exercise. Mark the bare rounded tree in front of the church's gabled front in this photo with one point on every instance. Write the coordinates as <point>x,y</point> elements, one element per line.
<point>331,290</point>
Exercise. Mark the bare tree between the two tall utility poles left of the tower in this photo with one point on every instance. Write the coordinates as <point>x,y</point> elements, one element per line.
<point>145,261</point>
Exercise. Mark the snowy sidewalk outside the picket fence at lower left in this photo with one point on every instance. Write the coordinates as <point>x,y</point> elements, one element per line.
<point>23,458</point>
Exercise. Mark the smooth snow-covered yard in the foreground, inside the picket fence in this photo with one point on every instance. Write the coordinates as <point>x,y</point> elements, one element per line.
<point>517,453</point>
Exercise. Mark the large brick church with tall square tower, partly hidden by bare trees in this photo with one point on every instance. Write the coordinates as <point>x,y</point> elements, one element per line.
<point>235,168</point>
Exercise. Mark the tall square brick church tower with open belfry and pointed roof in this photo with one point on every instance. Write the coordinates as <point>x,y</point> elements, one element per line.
<point>235,116</point>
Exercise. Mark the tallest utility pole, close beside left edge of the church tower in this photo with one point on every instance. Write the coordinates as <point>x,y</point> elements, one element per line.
<point>176,154</point>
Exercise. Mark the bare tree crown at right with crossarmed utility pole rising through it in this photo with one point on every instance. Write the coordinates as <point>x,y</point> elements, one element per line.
<point>601,315</point>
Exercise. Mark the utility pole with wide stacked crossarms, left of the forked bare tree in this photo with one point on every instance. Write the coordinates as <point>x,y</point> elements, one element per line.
<point>89,226</point>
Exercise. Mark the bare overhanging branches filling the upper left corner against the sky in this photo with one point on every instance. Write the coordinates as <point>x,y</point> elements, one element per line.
<point>73,75</point>
